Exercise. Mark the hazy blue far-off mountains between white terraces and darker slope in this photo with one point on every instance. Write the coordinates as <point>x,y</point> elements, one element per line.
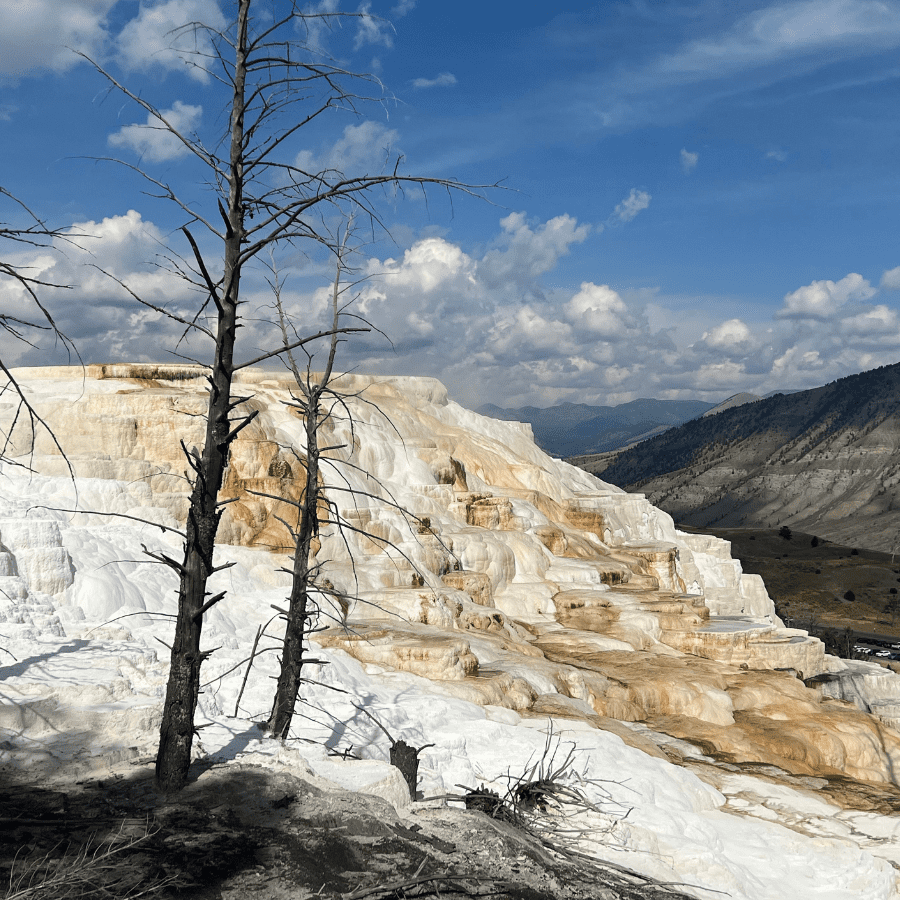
<point>572,429</point>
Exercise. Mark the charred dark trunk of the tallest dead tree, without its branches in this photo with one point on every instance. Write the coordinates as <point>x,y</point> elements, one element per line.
<point>177,730</point>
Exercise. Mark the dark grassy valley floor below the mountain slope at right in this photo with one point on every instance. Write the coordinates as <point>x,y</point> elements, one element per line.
<point>808,584</point>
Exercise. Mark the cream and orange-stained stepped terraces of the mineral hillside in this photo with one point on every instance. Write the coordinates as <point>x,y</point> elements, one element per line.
<point>464,555</point>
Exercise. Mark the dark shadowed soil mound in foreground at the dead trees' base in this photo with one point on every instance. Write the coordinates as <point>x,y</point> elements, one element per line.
<point>239,831</point>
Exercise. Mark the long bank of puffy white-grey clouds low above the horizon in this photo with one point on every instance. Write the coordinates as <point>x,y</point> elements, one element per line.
<point>485,322</point>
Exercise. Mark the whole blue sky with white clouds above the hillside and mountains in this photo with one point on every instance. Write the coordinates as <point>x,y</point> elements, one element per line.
<point>702,197</point>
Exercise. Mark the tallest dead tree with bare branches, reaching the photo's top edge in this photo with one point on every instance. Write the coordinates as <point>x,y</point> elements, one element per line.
<point>274,85</point>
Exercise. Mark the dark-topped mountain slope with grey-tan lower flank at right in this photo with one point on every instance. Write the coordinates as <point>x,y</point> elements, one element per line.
<point>825,461</point>
